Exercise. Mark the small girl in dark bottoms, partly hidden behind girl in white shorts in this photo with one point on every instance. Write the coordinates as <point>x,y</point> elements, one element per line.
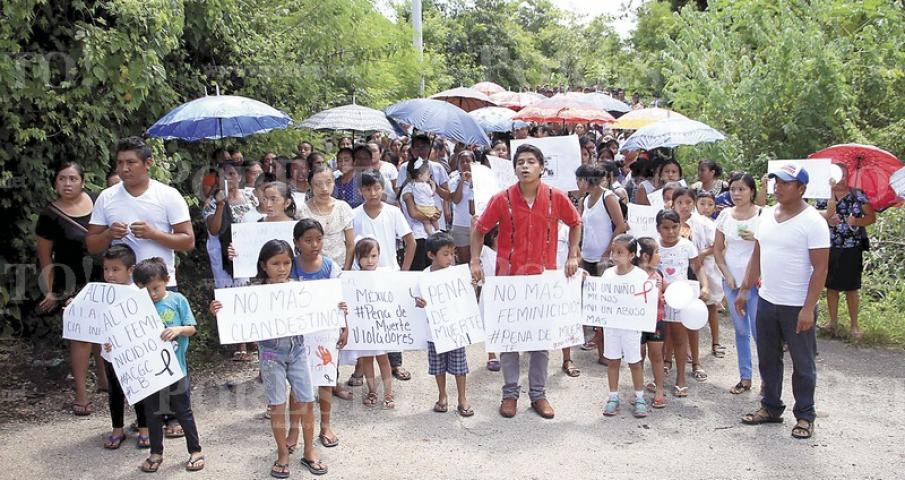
<point>649,261</point>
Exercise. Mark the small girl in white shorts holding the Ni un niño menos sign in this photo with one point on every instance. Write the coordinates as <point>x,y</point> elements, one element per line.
<point>619,343</point>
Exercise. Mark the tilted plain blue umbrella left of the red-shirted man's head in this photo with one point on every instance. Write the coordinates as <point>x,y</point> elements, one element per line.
<point>439,117</point>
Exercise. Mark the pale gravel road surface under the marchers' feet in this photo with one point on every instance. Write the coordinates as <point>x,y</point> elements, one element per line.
<point>858,432</point>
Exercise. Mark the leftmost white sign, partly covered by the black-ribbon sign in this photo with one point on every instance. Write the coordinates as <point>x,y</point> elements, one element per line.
<point>83,319</point>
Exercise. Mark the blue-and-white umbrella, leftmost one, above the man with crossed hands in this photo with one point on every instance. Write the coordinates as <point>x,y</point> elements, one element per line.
<point>218,116</point>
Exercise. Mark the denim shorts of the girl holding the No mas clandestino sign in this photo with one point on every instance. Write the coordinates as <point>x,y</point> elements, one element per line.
<point>282,360</point>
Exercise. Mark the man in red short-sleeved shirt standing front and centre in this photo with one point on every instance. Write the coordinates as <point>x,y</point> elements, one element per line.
<point>527,213</point>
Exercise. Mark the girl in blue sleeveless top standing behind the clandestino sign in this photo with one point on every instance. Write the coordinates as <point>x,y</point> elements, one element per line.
<point>311,264</point>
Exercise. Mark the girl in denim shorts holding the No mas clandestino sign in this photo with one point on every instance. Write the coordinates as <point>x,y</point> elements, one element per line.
<point>284,360</point>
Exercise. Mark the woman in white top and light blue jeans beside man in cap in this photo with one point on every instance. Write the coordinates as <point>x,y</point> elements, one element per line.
<point>733,246</point>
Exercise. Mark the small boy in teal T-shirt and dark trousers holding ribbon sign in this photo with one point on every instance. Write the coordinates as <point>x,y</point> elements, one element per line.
<point>176,315</point>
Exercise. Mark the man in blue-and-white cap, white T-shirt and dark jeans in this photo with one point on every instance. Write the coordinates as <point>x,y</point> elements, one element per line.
<point>790,261</point>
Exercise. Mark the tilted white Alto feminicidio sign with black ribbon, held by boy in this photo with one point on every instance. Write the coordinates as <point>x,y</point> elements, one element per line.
<point>144,363</point>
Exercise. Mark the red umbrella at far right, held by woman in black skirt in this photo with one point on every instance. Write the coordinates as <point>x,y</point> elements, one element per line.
<point>868,168</point>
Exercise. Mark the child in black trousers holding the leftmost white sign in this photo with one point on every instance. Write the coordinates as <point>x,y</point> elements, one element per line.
<point>118,263</point>
